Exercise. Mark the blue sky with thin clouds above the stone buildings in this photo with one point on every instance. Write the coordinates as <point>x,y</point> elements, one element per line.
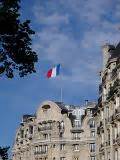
<point>69,32</point>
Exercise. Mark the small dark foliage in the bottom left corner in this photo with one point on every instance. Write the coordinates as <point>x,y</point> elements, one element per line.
<point>4,152</point>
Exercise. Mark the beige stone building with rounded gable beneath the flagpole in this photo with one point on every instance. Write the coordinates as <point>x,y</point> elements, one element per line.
<point>52,134</point>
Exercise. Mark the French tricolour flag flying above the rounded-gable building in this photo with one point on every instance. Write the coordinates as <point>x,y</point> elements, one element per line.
<point>55,71</point>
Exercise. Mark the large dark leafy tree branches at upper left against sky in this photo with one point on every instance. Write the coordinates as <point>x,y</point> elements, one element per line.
<point>16,53</point>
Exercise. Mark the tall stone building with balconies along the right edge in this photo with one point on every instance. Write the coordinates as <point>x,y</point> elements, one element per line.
<point>107,115</point>
